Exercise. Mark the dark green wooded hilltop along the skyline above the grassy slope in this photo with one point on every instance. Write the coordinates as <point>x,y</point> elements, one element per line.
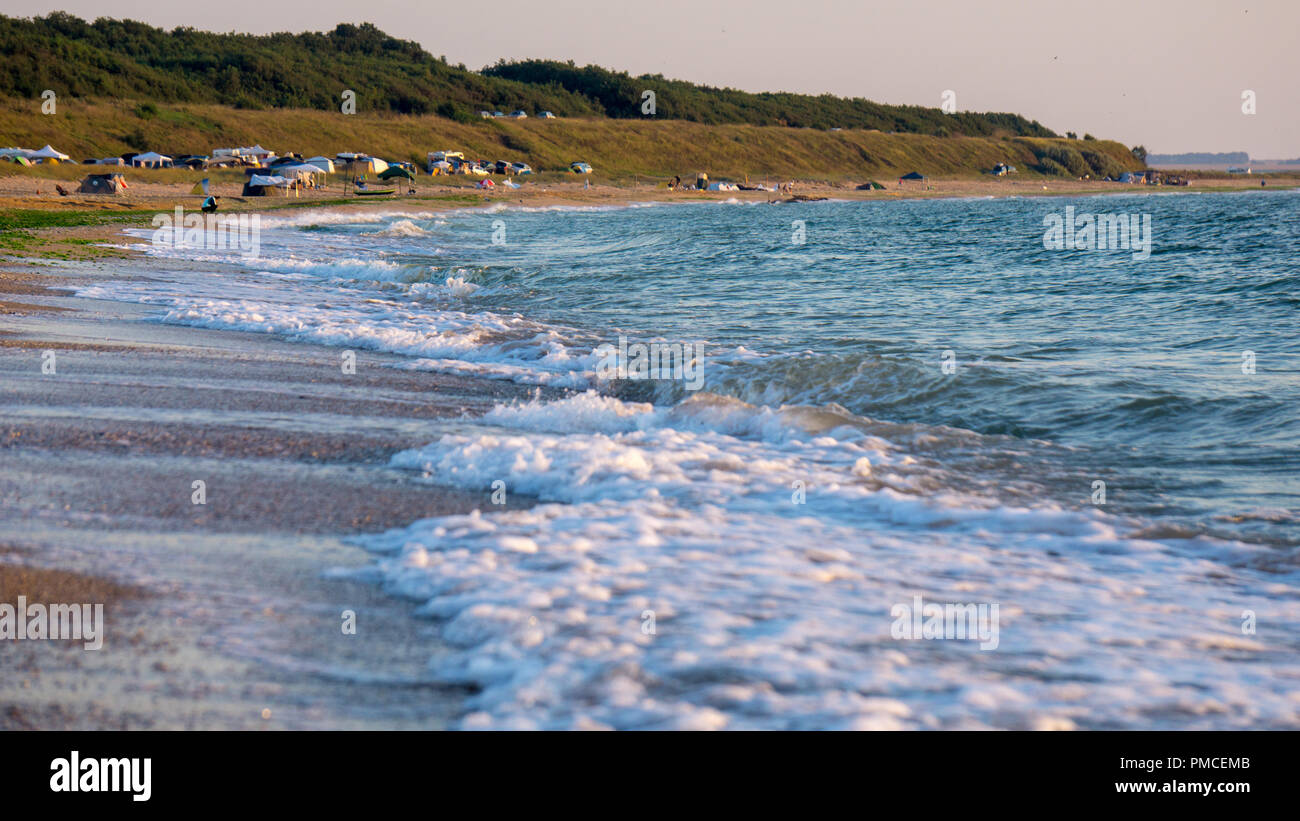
<point>128,60</point>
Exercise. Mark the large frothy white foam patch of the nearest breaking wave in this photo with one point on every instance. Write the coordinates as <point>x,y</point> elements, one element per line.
<point>770,614</point>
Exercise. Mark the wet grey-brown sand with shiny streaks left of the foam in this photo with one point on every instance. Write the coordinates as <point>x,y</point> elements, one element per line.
<point>219,615</point>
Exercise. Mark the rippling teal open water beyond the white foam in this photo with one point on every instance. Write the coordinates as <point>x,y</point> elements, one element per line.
<point>1134,364</point>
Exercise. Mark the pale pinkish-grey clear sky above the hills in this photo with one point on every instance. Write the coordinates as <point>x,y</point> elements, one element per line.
<point>1168,75</point>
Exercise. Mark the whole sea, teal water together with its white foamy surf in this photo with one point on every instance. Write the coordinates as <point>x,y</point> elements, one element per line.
<point>895,399</point>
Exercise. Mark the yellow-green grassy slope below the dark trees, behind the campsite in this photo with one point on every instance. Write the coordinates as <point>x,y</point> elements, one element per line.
<point>618,149</point>
